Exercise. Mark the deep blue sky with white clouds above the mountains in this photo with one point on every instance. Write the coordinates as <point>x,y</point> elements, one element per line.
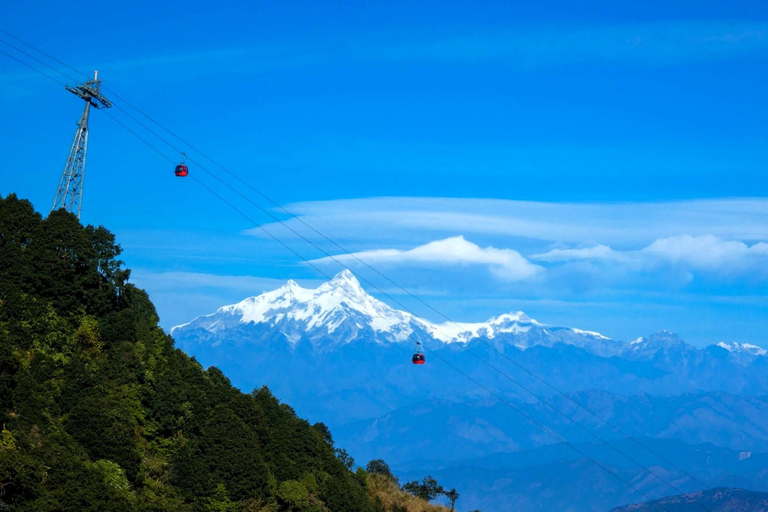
<point>601,166</point>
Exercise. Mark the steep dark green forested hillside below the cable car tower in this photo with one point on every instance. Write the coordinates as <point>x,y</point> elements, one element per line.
<point>99,411</point>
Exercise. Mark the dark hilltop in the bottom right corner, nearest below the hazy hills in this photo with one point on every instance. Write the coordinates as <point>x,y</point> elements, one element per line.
<point>713,500</point>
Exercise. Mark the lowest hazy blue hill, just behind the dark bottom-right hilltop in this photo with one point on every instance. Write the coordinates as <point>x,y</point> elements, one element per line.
<point>558,478</point>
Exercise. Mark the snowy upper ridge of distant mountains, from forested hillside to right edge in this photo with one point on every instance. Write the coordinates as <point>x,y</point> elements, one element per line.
<point>340,311</point>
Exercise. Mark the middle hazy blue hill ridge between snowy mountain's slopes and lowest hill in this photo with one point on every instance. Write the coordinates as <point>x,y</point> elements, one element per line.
<point>477,428</point>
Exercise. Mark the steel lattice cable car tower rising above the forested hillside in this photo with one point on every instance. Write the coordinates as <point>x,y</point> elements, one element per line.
<point>70,193</point>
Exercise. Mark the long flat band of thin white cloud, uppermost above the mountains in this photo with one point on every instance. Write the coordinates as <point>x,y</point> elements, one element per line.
<point>624,225</point>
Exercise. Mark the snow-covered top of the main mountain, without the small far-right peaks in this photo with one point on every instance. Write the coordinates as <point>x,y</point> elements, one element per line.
<point>340,312</point>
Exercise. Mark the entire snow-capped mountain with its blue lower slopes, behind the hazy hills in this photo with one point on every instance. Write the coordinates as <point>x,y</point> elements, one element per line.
<point>334,338</point>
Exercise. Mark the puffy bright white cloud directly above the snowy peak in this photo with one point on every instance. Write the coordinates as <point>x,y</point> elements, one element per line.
<point>506,264</point>
